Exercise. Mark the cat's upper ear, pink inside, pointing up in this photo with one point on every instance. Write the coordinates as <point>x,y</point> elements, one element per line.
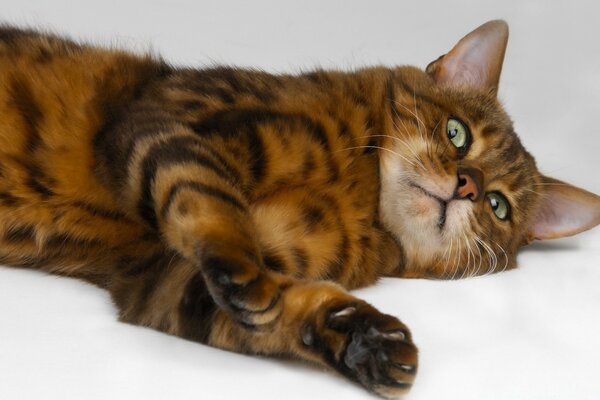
<point>476,60</point>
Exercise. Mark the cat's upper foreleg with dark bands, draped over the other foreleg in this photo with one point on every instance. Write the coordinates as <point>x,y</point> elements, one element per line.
<point>183,187</point>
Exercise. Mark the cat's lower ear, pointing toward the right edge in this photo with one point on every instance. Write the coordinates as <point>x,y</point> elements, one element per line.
<point>564,211</point>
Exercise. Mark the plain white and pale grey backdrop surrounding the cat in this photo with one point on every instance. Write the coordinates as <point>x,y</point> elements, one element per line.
<point>533,333</point>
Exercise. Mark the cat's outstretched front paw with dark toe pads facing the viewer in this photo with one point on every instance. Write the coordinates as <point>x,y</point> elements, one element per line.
<point>367,346</point>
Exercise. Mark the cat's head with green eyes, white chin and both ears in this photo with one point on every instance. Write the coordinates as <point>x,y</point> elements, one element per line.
<point>458,189</point>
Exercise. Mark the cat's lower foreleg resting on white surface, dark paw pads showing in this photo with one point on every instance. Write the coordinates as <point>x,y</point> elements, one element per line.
<point>320,322</point>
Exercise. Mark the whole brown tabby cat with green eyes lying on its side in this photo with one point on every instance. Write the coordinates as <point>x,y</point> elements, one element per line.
<point>235,207</point>
